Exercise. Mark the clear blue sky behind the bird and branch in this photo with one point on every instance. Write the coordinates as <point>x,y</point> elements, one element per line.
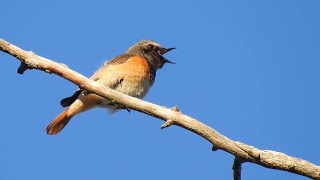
<point>249,69</point>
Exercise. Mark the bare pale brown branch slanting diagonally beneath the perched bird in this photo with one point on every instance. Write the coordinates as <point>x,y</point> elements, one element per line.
<point>243,152</point>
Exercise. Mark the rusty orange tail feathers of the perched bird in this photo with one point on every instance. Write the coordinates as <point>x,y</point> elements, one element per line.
<point>59,123</point>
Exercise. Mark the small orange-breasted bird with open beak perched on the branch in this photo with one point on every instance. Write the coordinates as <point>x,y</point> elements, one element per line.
<point>132,73</point>
